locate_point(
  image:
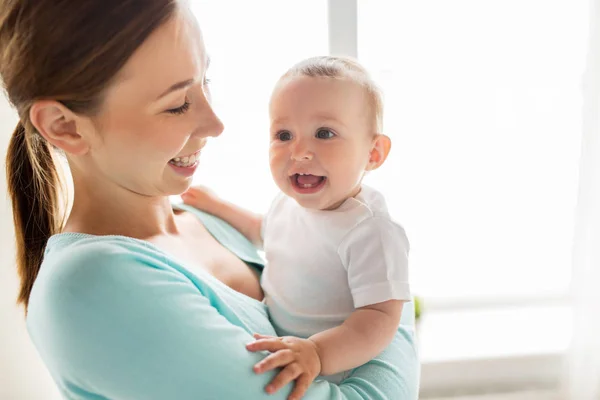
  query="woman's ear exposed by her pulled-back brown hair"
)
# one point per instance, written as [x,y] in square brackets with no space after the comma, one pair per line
[58,125]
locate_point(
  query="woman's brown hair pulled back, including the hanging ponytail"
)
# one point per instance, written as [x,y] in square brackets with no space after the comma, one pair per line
[68,51]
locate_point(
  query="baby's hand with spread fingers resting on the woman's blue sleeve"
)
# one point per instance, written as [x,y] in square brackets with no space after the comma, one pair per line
[299,359]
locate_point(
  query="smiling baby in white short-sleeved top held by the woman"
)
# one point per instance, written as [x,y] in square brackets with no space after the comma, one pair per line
[336,275]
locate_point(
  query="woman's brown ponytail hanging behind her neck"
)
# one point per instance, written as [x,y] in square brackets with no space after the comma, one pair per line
[33,183]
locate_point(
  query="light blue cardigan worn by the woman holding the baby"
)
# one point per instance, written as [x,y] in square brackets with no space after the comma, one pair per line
[117,318]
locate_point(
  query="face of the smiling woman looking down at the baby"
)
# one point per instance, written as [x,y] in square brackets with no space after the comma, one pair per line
[156,115]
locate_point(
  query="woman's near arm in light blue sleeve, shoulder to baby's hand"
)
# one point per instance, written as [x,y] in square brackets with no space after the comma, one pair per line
[115,325]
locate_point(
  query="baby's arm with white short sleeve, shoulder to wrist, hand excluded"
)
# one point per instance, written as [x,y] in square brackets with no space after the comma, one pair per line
[375,254]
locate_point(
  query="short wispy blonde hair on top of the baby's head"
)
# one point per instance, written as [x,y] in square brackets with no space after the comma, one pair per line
[342,67]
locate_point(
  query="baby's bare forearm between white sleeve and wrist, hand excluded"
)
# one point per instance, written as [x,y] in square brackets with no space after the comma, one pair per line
[365,334]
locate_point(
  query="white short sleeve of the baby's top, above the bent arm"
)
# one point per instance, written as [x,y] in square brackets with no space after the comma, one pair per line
[375,254]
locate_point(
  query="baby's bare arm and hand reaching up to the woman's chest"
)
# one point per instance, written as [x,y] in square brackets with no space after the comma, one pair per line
[246,222]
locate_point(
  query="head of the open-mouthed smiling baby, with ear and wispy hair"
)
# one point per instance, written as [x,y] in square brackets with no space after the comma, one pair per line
[326,131]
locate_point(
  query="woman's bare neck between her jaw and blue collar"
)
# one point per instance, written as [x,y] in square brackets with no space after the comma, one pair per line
[114,210]
